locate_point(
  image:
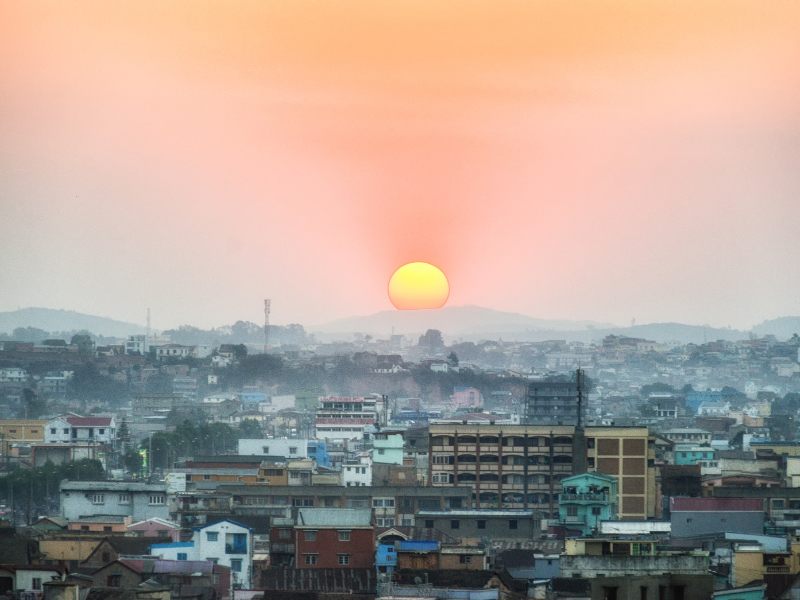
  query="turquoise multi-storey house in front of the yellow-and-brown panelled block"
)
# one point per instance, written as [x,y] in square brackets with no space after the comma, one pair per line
[586,500]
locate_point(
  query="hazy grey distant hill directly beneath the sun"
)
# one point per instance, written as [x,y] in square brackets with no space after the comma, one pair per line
[472,322]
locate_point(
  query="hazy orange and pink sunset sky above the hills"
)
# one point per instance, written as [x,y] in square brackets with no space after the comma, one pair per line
[563,159]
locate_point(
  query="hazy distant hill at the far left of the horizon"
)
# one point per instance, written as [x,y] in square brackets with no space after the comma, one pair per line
[53,320]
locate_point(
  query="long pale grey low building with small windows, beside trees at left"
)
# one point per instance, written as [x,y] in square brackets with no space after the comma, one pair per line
[139,501]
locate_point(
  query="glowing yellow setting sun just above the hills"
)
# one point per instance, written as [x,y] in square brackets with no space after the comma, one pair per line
[418,285]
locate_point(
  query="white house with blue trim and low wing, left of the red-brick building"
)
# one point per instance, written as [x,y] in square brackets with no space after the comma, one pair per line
[226,543]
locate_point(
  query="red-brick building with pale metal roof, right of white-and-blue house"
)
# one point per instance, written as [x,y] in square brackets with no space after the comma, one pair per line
[334,538]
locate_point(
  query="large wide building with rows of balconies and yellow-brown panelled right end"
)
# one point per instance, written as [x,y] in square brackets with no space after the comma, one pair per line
[522,466]
